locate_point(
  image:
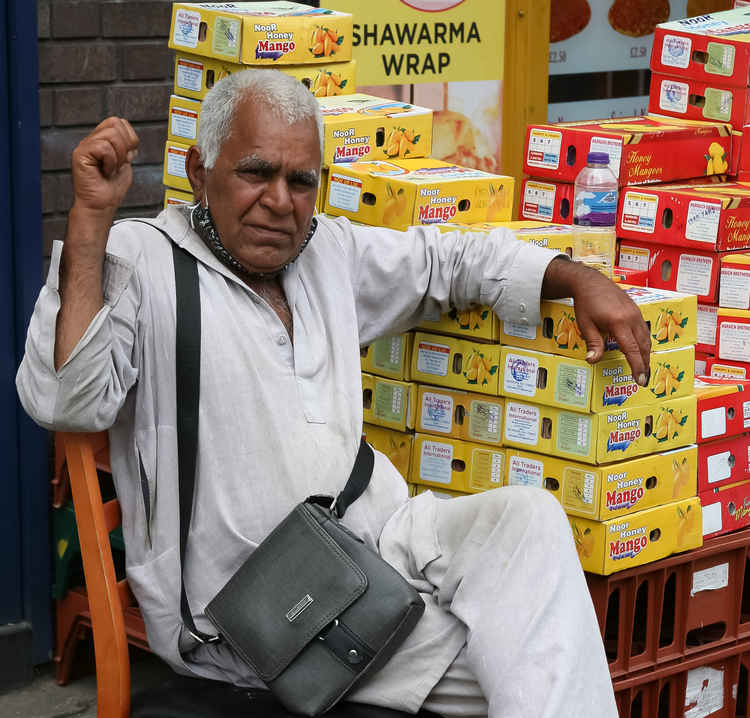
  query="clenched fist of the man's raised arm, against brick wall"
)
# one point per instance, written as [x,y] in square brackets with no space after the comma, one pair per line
[101,168]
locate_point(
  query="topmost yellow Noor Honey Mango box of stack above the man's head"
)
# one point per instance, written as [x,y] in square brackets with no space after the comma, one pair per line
[261,33]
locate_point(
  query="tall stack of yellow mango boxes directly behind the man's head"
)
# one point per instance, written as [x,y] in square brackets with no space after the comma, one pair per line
[213,41]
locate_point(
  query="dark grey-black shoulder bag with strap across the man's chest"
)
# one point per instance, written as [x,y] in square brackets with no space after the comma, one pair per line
[313,610]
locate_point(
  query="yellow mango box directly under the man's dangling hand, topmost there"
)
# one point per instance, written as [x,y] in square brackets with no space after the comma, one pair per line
[671,317]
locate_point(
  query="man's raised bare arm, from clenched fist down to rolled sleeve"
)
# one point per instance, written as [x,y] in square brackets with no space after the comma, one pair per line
[101,177]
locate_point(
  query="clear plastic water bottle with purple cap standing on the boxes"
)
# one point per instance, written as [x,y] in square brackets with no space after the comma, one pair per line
[595,214]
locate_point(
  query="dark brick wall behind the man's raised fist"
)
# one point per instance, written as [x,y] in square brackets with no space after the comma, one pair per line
[98,58]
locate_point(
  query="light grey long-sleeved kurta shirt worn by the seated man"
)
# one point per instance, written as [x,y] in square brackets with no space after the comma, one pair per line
[278,421]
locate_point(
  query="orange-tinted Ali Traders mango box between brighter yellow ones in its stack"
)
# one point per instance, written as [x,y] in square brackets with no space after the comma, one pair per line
[459,414]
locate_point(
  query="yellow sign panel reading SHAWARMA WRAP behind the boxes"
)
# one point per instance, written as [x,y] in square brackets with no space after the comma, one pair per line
[415,41]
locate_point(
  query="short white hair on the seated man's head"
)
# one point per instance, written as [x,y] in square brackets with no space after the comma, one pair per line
[283,95]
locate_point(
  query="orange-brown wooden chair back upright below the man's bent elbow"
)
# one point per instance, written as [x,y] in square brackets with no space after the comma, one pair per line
[106,594]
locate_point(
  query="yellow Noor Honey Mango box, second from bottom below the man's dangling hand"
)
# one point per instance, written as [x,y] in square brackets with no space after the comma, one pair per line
[605,492]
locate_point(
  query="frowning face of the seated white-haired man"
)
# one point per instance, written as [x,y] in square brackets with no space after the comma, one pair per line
[262,189]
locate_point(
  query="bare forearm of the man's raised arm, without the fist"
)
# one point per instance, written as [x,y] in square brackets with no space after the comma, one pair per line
[81,295]
